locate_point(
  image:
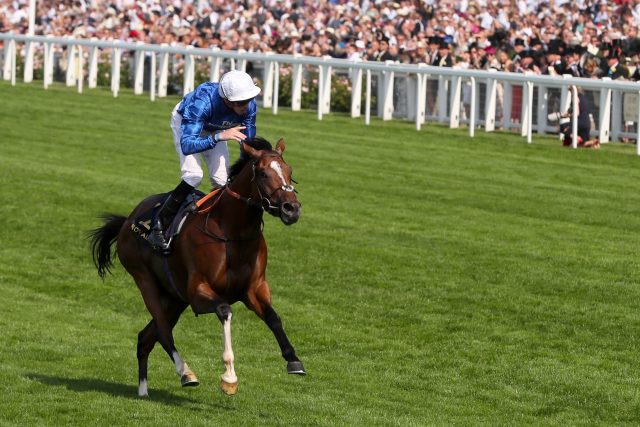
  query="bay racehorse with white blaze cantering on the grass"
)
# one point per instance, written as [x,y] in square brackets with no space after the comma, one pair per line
[219,258]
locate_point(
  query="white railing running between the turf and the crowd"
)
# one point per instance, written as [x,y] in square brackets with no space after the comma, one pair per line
[413,92]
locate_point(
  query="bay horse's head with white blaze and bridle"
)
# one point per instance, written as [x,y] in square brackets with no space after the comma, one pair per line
[272,177]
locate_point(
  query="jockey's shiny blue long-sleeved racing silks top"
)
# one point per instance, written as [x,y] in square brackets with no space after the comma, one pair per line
[203,112]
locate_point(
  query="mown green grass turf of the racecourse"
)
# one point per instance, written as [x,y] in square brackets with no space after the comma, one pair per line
[432,278]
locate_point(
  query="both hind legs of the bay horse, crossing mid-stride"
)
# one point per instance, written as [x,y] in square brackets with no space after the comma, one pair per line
[165,312]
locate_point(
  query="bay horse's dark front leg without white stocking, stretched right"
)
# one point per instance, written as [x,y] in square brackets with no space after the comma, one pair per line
[260,303]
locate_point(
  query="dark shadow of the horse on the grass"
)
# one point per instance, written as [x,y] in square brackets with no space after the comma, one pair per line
[110,388]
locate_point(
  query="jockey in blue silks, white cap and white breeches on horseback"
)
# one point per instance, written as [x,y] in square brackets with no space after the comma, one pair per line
[202,123]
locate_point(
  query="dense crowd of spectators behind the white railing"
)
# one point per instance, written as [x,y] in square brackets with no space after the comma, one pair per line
[580,37]
